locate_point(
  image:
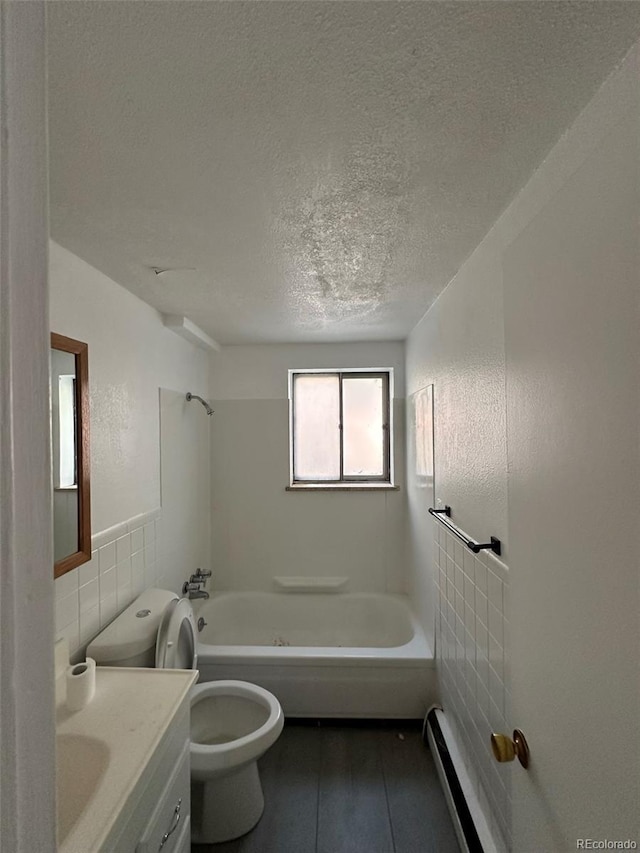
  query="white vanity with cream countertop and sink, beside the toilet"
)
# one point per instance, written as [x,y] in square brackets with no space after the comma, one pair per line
[123,764]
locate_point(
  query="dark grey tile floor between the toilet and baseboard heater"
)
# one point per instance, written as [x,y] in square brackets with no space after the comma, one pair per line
[334,788]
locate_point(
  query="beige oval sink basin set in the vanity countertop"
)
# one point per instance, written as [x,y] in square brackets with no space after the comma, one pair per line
[80,764]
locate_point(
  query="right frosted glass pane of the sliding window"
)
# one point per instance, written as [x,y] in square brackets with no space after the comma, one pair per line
[363,421]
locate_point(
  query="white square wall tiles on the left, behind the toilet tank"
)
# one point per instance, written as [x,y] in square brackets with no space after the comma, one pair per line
[122,565]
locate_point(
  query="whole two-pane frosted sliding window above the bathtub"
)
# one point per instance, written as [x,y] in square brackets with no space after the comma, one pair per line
[340,427]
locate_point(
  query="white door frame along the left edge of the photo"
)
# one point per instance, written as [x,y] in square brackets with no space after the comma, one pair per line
[27,720]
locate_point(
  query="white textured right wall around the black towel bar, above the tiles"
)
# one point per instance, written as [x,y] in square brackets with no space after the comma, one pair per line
[459,348]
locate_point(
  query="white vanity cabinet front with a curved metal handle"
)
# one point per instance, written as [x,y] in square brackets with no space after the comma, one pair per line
[165,830]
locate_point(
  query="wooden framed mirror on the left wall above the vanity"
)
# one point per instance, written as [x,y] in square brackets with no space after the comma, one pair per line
[69,380]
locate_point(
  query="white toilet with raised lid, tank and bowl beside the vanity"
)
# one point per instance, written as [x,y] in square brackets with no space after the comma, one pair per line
[233,723]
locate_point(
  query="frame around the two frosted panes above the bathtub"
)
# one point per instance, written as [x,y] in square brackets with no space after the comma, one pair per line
[385,480]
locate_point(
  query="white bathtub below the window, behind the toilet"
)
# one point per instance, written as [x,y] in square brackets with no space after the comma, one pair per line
[322,655]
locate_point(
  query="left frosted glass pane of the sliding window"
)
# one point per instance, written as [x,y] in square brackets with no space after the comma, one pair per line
[316,423]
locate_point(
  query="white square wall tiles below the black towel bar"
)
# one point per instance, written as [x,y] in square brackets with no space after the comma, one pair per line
[471,654]
